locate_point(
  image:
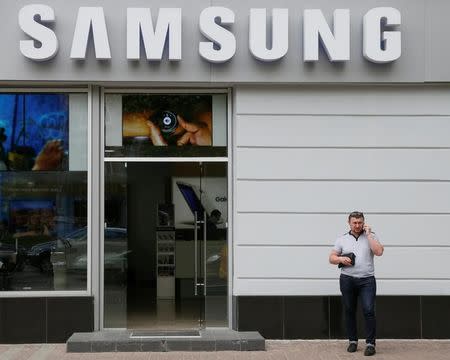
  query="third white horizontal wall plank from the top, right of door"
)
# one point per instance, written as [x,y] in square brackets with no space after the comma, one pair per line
[343,164]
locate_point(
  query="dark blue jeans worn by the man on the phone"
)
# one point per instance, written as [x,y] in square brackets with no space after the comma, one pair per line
[365,289]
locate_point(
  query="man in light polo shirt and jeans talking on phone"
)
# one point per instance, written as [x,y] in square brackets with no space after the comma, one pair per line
[357,278]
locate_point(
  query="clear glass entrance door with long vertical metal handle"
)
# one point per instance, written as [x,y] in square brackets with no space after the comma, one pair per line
[165,245]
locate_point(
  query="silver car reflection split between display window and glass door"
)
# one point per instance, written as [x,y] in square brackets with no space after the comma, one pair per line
[71,250]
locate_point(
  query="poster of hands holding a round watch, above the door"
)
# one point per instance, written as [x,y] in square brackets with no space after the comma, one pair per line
[167,120]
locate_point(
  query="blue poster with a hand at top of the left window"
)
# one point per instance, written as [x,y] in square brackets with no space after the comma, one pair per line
[34,132]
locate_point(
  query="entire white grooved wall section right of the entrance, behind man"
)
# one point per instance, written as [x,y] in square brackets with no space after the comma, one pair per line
[304,157]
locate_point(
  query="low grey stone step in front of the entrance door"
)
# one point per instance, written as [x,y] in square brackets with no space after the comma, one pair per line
[164,341]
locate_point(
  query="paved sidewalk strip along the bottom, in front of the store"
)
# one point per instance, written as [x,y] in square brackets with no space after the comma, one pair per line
[276,350]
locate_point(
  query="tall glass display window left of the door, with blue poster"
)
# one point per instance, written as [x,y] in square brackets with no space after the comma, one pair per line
[43,191]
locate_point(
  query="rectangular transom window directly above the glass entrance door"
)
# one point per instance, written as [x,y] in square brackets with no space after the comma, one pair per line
[165,125]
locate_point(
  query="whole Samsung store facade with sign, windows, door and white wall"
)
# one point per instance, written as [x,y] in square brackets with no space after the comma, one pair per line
[167,166]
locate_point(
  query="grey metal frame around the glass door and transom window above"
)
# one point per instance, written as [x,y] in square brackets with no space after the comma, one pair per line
[98,135]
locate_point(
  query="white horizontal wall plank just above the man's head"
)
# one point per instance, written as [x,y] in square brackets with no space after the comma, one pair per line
[342,196]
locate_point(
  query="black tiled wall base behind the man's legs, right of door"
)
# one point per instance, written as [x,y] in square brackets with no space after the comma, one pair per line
[322,317]
